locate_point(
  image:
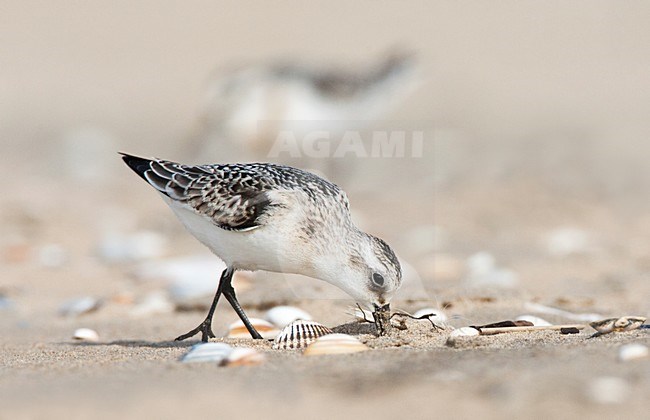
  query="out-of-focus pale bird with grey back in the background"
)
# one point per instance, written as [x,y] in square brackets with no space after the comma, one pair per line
[251,104]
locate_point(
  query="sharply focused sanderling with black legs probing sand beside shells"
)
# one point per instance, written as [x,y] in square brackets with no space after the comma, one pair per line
[261,216]
